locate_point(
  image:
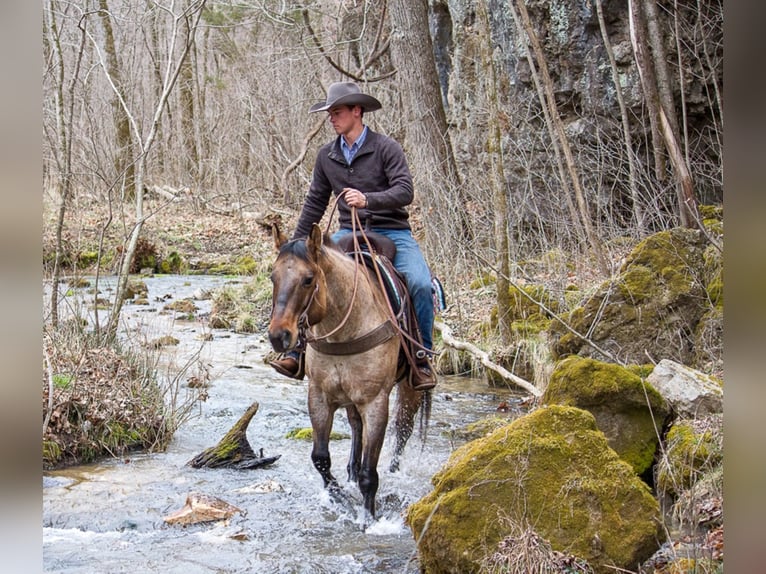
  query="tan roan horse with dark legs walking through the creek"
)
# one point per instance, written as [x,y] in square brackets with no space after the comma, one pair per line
[324,297]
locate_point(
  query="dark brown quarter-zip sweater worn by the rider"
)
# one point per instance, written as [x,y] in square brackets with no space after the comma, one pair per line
[379,170]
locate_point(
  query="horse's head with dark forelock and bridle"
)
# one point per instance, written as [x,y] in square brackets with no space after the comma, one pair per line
[299,293]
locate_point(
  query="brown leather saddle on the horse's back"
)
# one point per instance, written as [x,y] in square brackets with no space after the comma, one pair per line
[383,252]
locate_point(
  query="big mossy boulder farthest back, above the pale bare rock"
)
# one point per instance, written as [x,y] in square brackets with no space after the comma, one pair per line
[653,307]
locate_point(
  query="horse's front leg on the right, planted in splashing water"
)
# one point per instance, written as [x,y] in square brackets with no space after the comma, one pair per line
[374,422]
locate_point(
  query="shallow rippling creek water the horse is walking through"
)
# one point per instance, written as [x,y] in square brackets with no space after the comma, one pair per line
[108,517]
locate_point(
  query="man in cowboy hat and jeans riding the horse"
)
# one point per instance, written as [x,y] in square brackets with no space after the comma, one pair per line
[370,172]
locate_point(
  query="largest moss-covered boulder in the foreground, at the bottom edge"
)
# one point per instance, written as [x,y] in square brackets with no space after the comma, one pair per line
[552,470]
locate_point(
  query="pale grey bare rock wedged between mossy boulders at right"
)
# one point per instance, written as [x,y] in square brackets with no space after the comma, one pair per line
[689,392]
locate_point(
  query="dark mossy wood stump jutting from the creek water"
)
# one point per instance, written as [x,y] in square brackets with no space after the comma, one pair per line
[234,450]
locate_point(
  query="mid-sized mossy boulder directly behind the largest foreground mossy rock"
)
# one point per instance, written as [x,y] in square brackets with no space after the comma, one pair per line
[629,411]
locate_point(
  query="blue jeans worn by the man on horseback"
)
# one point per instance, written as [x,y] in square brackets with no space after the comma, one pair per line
[409,261]
